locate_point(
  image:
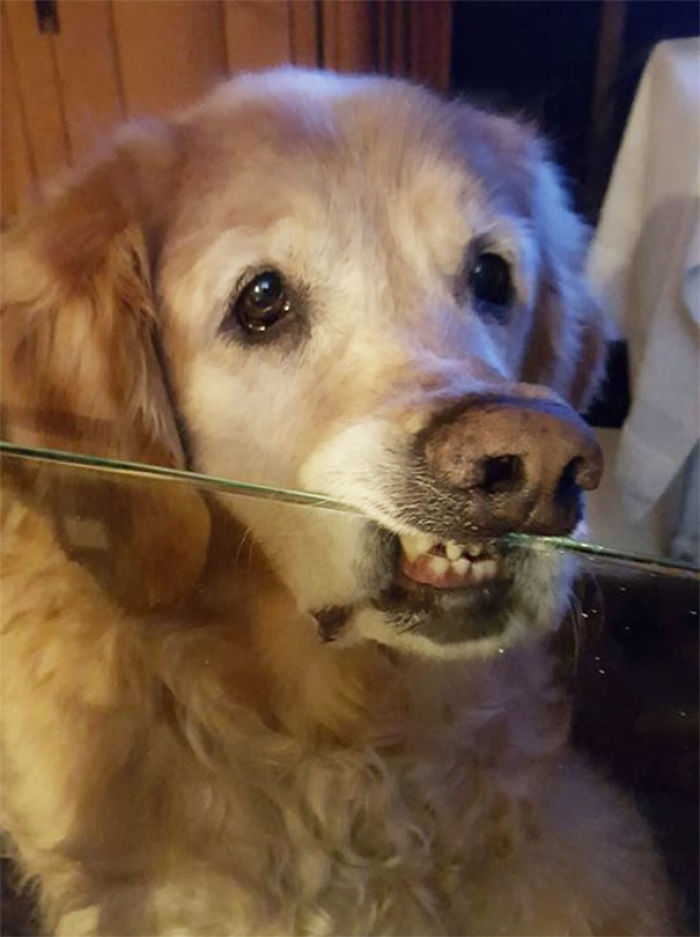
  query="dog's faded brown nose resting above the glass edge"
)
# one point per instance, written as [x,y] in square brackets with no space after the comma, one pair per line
[513,463]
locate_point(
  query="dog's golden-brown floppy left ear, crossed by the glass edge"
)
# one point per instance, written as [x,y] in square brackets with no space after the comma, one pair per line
[82,371]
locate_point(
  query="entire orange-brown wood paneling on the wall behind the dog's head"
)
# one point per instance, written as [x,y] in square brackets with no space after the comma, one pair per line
[112,59]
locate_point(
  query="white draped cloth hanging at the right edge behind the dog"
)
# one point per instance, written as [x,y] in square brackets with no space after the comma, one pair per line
[645,268]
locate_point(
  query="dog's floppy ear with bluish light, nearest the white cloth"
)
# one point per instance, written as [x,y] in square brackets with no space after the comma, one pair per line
[568,338]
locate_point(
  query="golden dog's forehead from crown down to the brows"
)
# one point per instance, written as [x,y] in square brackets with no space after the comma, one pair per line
[367,186]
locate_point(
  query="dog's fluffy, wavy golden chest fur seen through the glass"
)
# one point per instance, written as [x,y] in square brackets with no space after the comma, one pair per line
[373,819]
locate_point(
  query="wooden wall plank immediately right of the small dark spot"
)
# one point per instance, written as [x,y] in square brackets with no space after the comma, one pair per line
[87,70]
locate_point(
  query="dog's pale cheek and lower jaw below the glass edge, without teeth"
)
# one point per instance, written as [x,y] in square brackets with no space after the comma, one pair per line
[345,572]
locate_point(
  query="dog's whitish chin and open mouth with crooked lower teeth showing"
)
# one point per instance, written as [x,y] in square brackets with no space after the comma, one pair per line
[445,600]
